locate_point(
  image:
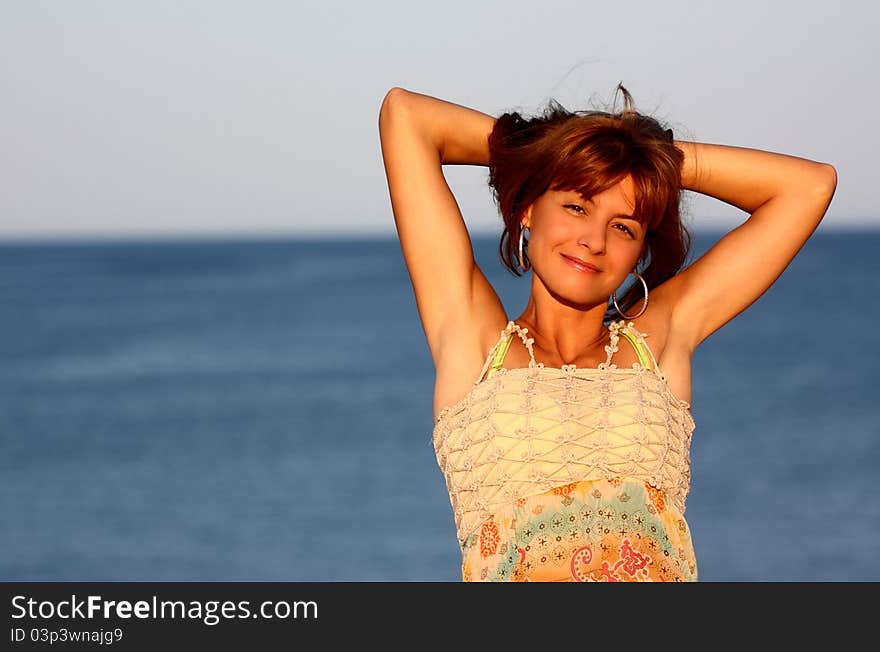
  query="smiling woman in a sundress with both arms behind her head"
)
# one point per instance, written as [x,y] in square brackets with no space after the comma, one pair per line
[565,440]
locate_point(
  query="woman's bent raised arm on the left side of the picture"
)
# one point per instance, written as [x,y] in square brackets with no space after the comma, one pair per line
[419,134]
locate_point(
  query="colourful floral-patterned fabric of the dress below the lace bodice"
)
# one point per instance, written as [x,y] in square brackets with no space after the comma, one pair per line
[614,530]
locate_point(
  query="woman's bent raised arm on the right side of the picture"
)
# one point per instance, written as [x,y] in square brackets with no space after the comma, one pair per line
[787,197]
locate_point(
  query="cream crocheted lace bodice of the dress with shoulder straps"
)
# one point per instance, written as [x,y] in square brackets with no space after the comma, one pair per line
[524,431]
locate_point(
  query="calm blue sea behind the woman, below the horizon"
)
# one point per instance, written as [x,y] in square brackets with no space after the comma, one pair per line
[262,411]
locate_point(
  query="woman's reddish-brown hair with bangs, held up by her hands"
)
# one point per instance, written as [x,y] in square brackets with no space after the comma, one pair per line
[590,152]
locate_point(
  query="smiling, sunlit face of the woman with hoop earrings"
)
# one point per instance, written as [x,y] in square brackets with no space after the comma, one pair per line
[582,250]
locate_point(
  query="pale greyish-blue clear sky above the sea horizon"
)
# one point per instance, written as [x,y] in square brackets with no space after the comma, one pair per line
[210,118]
